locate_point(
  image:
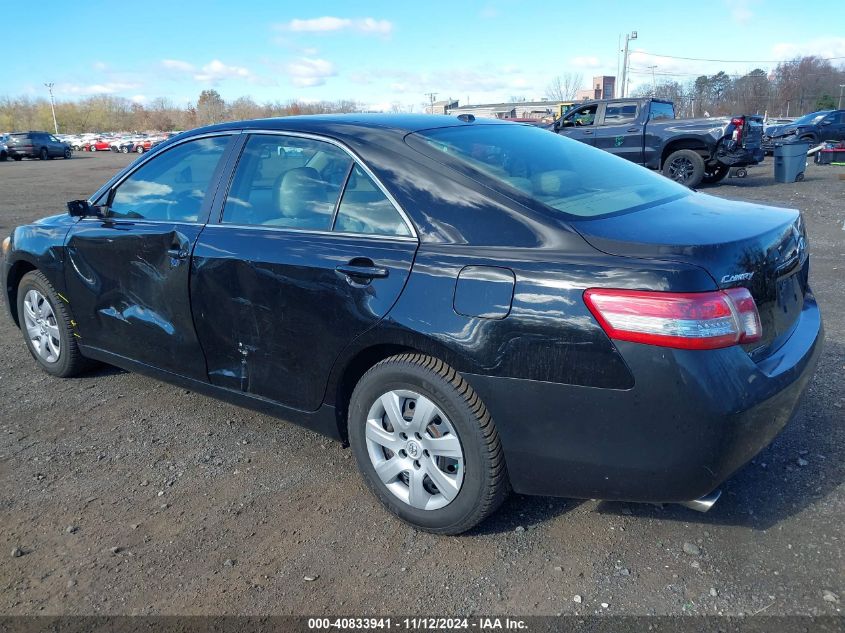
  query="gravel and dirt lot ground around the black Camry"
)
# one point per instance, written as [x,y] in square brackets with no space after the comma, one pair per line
[129,496]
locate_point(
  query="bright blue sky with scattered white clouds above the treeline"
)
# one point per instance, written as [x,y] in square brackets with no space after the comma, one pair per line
[381,53]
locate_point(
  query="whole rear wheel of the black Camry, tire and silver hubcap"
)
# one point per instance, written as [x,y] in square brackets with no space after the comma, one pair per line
[426,444]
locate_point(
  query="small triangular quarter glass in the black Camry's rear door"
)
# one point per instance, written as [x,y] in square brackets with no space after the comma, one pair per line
[365,209]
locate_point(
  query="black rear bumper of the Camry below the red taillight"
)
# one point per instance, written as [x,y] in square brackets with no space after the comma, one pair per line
[691,420]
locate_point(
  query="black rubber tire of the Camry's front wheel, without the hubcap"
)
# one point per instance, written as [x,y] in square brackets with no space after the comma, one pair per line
[70,361]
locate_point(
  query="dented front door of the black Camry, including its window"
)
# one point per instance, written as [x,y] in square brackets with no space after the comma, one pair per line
[127,273]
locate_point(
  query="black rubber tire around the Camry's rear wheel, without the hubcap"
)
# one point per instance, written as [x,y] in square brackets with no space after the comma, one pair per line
[485,483]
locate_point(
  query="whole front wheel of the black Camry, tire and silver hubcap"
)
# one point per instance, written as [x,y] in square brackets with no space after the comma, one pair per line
[46,324]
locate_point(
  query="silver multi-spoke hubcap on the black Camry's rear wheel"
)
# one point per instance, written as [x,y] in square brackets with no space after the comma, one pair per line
[414,449]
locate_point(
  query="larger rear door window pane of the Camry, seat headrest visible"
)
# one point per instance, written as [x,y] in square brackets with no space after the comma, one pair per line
[287,181]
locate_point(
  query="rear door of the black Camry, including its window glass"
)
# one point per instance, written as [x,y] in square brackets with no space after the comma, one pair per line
[309,253]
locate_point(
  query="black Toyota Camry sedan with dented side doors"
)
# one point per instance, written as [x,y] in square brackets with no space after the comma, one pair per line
[474,306]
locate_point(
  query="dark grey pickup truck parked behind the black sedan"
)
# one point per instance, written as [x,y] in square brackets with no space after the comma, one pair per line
[645,131]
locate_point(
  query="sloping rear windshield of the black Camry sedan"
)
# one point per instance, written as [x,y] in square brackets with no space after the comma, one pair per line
[558,172]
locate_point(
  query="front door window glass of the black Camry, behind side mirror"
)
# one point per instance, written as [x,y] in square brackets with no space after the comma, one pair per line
[171,186]
